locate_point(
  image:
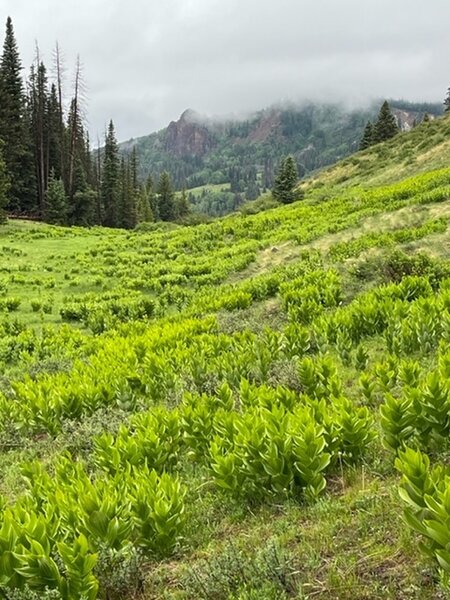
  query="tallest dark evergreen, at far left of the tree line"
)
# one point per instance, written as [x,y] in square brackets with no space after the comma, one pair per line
[14,127]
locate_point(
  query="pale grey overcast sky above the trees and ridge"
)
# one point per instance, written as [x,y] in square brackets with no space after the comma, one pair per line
[145,61]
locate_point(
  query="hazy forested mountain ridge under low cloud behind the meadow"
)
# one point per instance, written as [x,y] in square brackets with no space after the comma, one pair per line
[226,162]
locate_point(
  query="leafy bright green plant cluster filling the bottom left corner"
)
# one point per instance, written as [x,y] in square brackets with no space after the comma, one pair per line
[52,536]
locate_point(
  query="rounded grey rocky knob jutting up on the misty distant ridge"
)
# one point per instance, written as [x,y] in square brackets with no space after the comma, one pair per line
[188,136]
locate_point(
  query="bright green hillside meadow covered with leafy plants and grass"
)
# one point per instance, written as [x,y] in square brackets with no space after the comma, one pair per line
[223,411]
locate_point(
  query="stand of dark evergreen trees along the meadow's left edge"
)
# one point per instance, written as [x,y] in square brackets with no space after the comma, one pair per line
[47,167]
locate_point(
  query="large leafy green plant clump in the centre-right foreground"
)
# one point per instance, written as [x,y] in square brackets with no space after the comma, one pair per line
[273,451]
